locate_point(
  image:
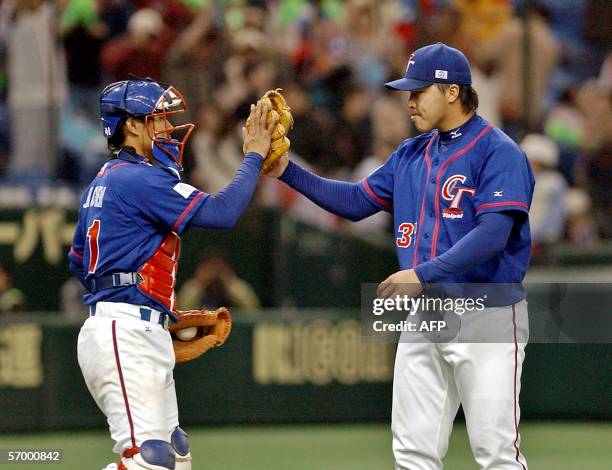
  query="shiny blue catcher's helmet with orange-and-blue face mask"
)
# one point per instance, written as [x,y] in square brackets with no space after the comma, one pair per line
[148,99]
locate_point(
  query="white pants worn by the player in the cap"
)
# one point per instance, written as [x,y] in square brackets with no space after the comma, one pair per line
[432,380]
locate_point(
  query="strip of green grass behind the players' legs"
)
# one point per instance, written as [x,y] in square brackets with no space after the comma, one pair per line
[554,446]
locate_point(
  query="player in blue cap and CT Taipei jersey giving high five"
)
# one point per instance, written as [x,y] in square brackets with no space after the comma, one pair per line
[459,194]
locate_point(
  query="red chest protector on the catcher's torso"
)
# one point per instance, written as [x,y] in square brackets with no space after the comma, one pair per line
[159,271]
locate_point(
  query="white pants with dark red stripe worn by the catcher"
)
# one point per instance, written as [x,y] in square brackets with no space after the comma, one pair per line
[127,364]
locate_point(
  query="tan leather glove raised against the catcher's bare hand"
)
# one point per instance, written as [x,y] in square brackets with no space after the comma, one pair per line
[279,110]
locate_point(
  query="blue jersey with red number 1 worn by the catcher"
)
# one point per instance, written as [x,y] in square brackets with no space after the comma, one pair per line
[125,213]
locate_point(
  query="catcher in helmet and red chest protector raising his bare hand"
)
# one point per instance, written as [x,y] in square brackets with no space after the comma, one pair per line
[125,251]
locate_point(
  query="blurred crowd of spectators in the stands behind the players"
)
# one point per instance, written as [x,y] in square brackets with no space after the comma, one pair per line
[542,69]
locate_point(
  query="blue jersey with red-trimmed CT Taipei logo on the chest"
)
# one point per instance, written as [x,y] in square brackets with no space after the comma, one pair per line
[437,184]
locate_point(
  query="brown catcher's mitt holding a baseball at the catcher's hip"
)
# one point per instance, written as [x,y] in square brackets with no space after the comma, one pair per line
[211,329]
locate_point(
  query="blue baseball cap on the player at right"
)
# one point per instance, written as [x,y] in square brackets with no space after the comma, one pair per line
[436,63]
